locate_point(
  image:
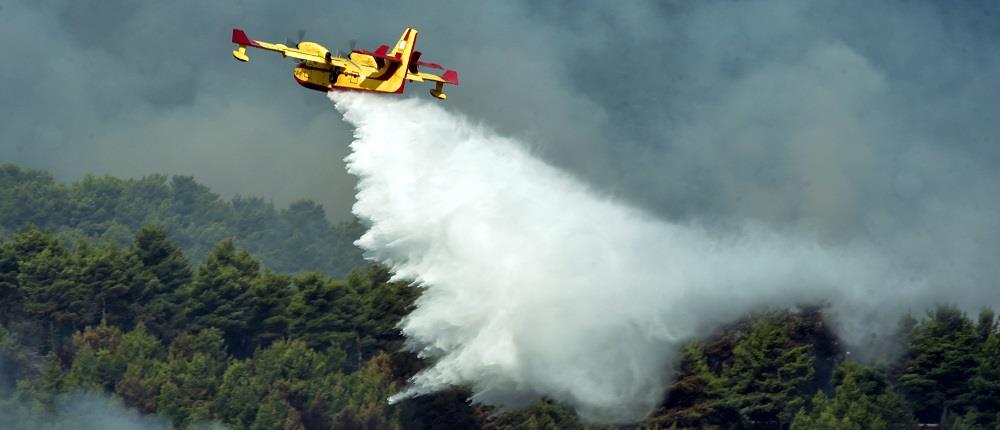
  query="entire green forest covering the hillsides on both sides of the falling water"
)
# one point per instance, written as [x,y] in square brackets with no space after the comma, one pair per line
[233,341]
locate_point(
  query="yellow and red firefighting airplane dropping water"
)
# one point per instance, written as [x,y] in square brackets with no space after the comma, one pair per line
[381,71]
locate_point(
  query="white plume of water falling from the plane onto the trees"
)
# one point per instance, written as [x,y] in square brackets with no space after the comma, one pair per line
[538,286]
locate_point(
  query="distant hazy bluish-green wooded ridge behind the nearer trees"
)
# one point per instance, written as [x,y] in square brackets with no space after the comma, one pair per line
[295,239]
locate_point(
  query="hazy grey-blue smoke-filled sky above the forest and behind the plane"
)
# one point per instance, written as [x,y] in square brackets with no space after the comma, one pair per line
[872,121]
